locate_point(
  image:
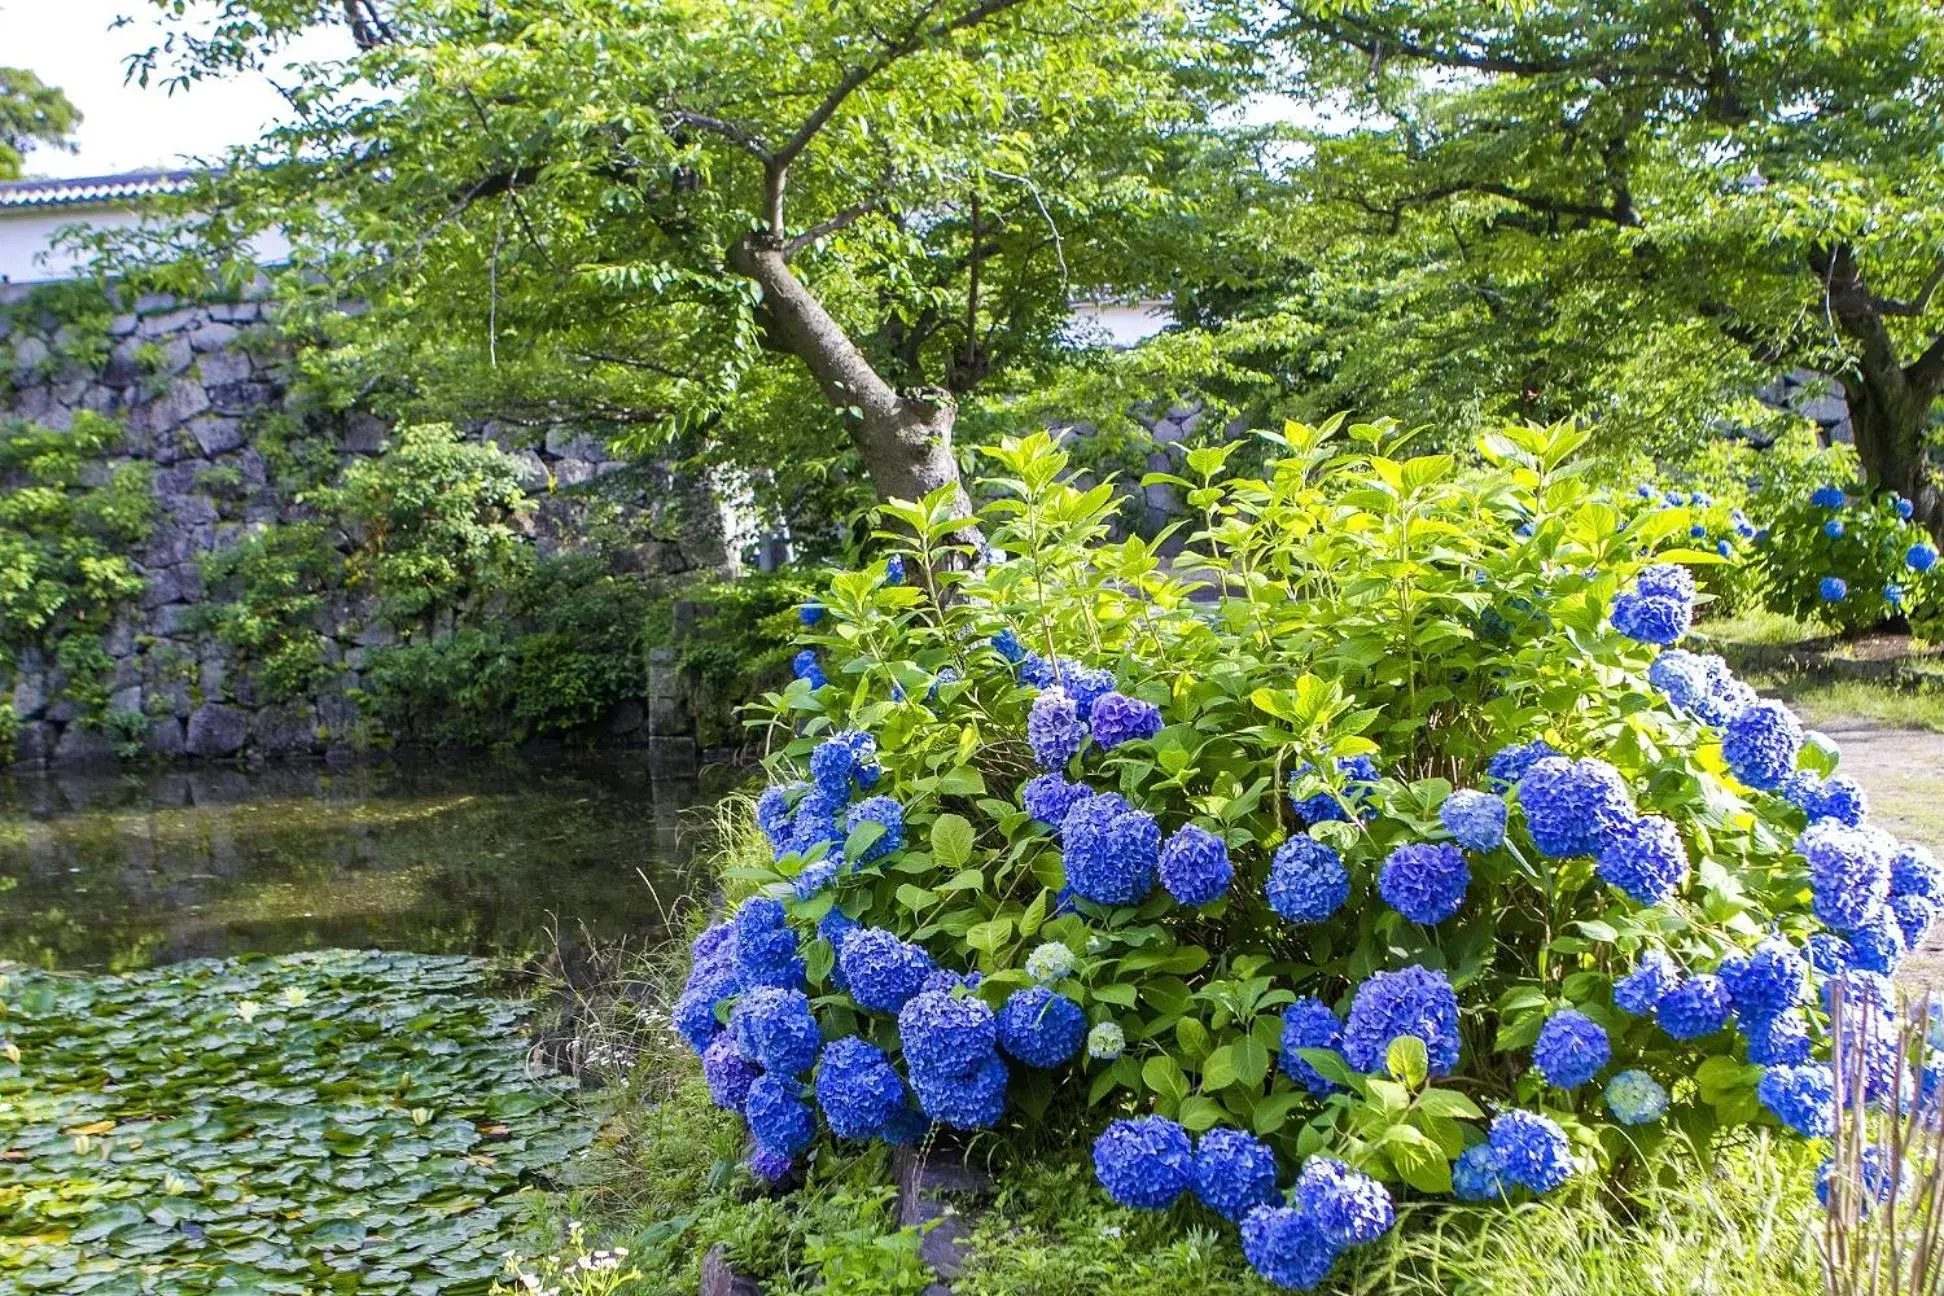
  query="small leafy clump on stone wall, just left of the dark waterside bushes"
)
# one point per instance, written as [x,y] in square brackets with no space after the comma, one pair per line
[267,594]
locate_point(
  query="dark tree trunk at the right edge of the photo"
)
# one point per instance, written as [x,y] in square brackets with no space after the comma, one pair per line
[1889,401]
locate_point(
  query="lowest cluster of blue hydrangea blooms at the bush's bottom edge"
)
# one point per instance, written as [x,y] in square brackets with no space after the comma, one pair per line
[1292,1239]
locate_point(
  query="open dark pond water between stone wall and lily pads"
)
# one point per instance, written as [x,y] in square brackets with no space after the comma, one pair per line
[133,870]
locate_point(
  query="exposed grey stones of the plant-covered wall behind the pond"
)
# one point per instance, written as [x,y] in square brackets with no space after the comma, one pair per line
[191,388]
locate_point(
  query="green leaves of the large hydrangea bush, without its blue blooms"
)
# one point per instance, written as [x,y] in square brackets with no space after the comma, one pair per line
[1350,603]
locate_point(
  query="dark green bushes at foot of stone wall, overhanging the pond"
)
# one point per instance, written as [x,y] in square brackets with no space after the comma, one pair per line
[565,650]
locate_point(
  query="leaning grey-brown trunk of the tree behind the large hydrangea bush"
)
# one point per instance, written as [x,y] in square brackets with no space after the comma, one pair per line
[907,440]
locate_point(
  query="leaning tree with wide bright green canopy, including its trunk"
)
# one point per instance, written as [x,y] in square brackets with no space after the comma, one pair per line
[744,228]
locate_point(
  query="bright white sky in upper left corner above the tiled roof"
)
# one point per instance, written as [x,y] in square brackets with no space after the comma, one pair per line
[69,44]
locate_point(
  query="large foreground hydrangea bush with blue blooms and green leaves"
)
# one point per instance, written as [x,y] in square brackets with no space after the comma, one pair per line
[1381,842]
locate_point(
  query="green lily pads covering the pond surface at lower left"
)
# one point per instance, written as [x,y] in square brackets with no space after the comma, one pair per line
[343,1120]
